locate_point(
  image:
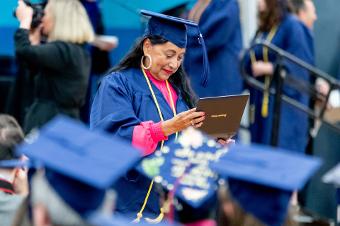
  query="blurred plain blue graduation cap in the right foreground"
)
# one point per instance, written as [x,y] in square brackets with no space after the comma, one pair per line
[261,178]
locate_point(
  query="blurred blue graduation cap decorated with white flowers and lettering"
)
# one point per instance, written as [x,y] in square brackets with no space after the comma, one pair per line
[182,167]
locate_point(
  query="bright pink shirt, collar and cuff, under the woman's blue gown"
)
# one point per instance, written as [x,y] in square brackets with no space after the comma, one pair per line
[147,134]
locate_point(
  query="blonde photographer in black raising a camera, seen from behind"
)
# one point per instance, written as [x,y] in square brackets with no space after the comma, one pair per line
[63,62]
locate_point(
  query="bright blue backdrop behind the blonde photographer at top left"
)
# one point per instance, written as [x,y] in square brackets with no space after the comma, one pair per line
[121,18]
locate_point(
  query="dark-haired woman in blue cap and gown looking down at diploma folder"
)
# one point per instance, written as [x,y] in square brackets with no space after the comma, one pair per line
[147,100]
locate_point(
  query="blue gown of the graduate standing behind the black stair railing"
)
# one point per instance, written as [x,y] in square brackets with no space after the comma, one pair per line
[293,131]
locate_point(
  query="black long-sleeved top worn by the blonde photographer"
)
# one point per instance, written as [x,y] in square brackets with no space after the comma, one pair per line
[62,80]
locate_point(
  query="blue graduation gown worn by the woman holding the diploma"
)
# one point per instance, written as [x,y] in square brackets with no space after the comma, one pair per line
[122,102]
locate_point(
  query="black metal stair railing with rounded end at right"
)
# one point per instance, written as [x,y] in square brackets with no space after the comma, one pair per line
[279,78]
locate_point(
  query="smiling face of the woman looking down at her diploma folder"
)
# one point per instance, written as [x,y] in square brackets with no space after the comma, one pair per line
[166,59]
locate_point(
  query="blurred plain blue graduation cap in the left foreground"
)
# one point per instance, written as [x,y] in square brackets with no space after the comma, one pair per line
[79,164]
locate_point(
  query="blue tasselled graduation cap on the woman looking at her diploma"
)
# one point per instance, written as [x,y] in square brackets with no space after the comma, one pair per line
[174,29]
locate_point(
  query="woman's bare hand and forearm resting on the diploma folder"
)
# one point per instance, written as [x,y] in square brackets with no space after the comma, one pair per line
[182,121]
